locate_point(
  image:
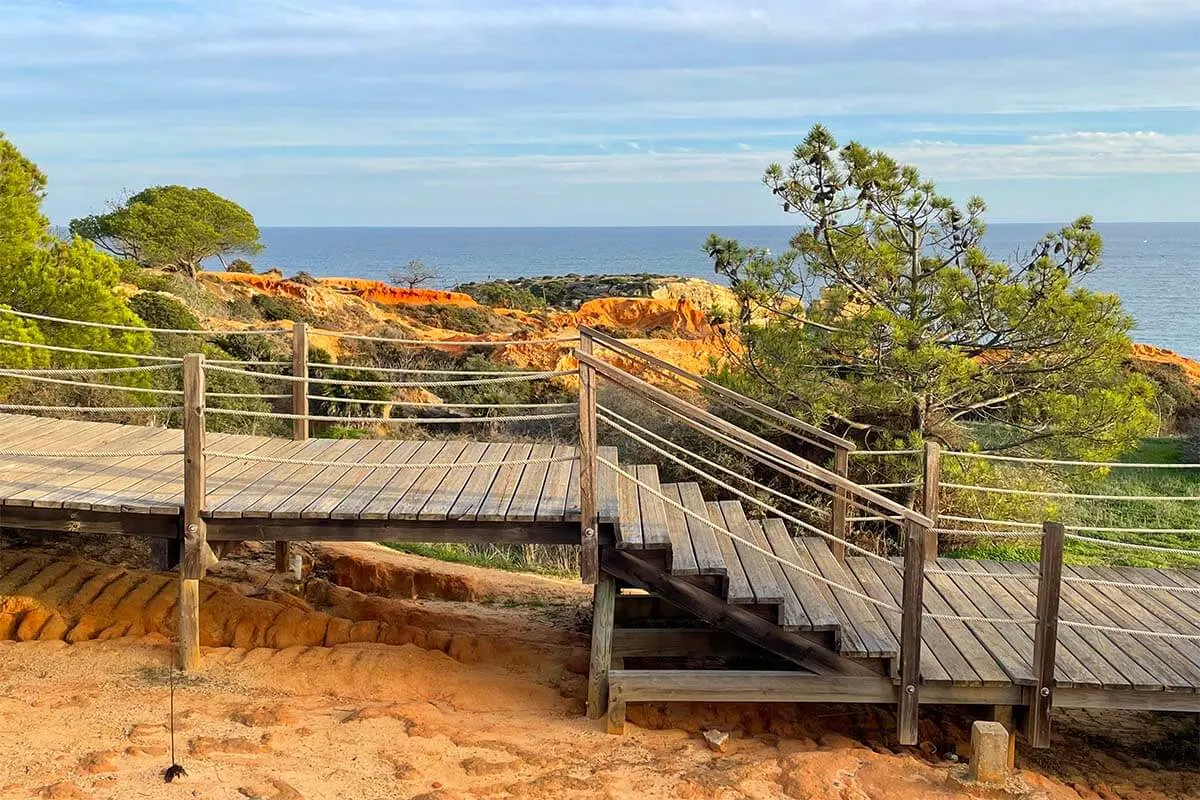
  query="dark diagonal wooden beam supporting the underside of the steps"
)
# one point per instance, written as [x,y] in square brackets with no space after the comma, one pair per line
[728,617]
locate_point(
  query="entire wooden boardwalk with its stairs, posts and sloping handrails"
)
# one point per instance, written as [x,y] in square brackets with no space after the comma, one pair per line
[685,574]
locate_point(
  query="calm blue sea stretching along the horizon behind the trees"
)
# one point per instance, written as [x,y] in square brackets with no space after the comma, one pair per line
[1155,268]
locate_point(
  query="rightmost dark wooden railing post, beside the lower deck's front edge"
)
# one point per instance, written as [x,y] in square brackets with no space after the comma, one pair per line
[1046,639]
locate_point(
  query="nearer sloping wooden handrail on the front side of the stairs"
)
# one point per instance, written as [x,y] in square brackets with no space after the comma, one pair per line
[689,412]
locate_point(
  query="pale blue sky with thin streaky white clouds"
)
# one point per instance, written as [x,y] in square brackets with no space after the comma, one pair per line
[601,112]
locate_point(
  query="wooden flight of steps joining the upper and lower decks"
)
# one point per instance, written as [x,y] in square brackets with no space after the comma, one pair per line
[674,550]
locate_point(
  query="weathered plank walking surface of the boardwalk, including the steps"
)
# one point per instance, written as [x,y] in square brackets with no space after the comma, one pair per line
[533,498]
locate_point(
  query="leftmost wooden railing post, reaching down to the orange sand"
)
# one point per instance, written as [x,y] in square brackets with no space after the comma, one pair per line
[191,568]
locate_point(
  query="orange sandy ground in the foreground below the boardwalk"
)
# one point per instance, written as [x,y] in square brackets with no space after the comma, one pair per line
[483,701]
